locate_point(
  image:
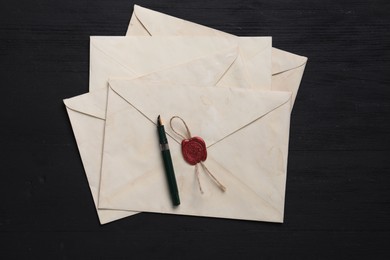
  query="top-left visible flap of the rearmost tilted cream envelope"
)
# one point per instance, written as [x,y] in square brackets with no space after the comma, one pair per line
[157,23]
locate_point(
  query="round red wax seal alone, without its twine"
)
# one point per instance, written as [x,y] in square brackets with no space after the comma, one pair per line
[194,150]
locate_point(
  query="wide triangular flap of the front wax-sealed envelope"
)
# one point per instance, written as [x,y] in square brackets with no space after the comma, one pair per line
[210,112]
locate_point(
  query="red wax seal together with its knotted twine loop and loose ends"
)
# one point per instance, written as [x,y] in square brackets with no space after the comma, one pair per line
[194,152]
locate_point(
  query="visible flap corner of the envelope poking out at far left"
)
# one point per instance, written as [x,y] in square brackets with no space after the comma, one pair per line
[92,103]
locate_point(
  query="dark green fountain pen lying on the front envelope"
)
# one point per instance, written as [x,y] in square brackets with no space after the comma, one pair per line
[168,165]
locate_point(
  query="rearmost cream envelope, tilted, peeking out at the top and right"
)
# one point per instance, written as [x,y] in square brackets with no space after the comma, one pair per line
[287,68]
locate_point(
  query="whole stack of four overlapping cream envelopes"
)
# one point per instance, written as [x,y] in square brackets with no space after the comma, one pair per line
[237,93]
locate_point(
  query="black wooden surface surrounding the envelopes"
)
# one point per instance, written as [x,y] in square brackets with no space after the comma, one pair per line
[337,199]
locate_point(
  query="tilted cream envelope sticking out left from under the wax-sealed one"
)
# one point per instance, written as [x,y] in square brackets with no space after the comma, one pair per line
[87,112]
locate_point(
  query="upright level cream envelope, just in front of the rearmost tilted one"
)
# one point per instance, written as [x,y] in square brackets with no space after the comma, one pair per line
[132,57]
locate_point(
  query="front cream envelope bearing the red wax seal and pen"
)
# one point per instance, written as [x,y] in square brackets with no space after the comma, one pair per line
[246,132]
